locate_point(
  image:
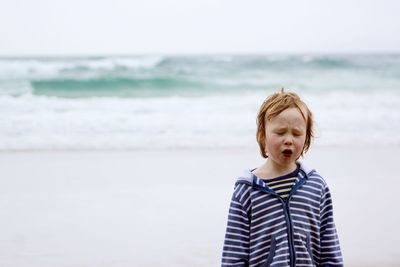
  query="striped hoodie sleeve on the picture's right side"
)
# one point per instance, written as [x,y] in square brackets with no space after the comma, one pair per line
[330,253]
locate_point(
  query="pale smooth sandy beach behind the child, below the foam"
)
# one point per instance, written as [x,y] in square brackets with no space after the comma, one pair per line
[168,207]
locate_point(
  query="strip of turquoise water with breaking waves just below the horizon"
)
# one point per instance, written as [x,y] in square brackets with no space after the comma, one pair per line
[149,76]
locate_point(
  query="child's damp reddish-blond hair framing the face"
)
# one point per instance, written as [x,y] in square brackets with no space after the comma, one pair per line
[275,104]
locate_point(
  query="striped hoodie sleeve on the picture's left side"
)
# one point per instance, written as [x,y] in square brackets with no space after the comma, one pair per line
[236,244]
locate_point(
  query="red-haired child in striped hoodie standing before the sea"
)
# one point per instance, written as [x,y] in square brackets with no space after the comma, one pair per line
[281,212]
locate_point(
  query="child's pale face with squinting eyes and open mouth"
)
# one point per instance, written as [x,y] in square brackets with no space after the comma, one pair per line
[285,137]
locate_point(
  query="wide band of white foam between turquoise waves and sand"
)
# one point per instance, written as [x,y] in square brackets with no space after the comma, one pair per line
[39,122]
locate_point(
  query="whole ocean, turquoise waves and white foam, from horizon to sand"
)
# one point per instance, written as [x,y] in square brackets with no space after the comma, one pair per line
[208,101]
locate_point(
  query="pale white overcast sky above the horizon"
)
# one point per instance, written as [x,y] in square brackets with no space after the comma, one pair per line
[74,27]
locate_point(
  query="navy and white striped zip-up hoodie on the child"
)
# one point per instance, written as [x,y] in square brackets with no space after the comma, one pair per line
[266,230]
